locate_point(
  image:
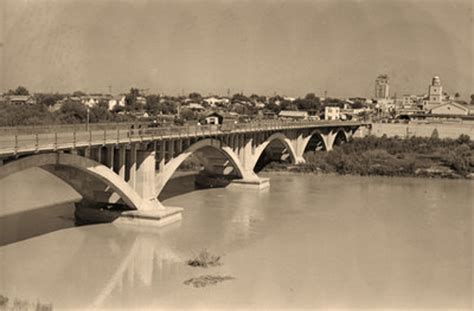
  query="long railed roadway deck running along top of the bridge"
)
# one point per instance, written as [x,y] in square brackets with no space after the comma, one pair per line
[15,144]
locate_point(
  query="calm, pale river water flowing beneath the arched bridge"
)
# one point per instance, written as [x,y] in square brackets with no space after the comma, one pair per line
[307,242]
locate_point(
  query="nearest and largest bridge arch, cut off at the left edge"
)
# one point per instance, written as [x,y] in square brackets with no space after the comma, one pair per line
[88,166]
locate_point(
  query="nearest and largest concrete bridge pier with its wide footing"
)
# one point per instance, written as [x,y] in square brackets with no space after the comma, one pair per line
[138,165]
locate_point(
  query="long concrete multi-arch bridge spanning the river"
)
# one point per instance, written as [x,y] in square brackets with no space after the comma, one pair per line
[130,168]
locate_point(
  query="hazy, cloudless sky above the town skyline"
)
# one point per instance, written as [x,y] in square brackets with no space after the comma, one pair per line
[288,47]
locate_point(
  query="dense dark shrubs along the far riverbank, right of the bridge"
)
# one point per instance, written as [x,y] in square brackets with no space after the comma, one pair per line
[430,157]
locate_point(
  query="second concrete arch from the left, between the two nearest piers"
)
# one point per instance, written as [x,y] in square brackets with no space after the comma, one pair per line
[172,165]
